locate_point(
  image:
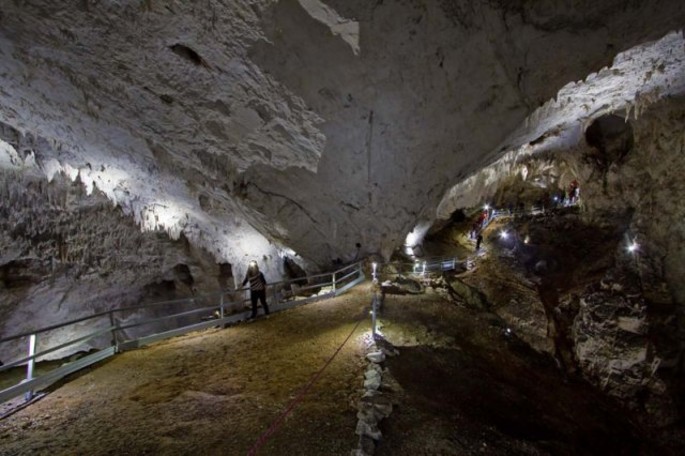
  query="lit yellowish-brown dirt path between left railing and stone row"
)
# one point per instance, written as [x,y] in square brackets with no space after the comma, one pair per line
[212,392]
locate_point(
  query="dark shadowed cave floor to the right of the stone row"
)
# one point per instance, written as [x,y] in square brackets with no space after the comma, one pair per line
[465,386]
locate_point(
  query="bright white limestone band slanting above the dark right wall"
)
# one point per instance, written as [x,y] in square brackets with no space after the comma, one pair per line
[636,79]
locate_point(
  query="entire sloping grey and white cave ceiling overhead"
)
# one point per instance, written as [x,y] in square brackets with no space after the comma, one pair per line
[253,125]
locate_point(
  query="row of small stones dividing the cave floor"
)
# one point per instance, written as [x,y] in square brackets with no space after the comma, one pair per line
[375,404]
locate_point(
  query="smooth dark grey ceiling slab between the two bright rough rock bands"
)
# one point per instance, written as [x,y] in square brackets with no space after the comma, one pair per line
[435,87]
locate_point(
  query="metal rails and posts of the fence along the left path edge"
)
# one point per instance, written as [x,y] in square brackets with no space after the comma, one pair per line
[27,385]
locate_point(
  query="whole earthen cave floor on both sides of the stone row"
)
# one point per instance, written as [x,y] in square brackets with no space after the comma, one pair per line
[461,386]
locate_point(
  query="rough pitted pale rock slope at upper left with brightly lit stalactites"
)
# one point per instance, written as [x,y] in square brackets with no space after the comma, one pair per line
[158,107]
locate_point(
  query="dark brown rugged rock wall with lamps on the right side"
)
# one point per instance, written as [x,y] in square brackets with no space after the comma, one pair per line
[615,316]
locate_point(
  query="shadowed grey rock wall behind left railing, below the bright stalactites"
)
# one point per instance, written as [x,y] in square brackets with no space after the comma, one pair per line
[66,254]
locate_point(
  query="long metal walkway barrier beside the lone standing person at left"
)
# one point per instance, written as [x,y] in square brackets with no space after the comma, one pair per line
[103,334]
